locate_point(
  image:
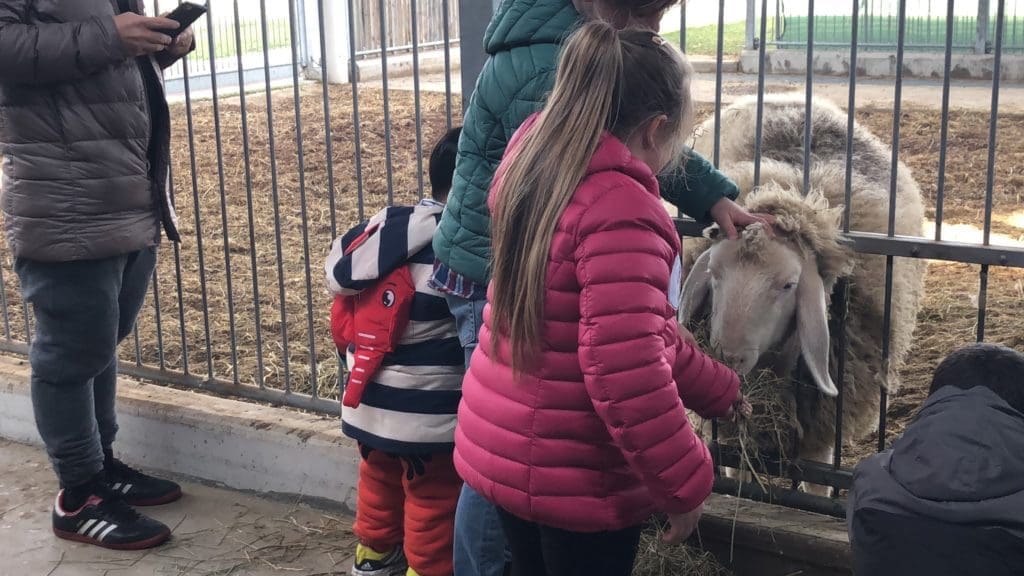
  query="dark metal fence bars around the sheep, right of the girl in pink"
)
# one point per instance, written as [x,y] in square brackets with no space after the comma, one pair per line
[985,255]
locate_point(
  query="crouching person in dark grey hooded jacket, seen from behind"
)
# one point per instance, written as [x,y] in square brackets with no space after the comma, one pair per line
[949,499]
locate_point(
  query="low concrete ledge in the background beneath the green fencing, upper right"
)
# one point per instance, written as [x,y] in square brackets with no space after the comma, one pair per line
[883,65]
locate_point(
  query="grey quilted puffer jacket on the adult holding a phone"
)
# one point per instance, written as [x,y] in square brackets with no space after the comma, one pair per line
[84,134]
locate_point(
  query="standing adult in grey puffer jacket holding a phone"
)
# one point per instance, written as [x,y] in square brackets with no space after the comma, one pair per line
[86,146]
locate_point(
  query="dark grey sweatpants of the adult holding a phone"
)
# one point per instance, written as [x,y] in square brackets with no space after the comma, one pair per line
[83,310]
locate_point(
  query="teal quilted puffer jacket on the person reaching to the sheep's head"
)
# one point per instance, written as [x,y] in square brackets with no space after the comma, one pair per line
[523,42]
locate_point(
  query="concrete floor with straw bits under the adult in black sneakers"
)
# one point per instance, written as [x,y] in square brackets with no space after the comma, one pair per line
[217,532]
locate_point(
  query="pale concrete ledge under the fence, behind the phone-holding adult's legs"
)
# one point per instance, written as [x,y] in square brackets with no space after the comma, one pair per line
[241,445]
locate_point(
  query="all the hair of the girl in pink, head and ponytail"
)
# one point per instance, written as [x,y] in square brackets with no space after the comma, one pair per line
[608,81]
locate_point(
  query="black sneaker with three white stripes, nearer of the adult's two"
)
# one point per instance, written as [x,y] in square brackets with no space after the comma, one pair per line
[106,520]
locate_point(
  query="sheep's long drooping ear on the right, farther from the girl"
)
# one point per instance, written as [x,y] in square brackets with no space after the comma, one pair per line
[813,326]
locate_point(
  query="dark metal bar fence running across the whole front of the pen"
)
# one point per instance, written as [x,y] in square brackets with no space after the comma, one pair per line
[268,176]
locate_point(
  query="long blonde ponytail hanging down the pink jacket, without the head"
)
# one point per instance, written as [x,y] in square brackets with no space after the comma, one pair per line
[554,155]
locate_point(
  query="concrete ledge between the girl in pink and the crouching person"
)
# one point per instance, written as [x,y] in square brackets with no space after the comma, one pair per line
[760,540]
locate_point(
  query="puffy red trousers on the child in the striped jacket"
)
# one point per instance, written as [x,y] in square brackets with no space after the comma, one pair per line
[409,502]
